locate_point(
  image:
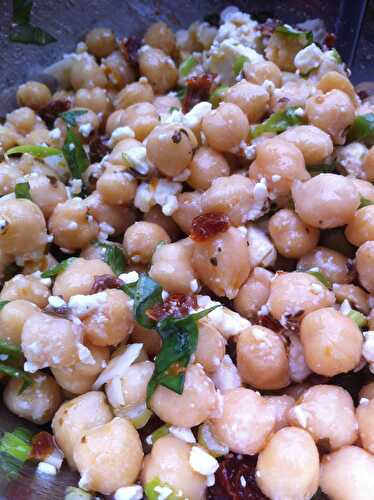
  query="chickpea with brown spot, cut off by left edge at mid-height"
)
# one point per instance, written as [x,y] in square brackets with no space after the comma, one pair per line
[22,227]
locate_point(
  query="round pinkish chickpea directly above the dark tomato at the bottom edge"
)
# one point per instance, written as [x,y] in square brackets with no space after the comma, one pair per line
[246,421]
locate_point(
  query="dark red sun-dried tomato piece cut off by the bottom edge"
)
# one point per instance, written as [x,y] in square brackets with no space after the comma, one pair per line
[236,480]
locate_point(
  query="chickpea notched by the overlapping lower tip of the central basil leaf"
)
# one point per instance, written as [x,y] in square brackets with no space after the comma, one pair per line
[190,408]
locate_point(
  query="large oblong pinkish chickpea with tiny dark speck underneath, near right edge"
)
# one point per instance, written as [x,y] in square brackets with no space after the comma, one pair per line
[326,201]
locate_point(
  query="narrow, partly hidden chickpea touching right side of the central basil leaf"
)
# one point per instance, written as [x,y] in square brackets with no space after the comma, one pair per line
[210,347]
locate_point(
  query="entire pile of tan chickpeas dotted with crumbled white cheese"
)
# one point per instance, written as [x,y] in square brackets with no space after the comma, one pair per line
[290,332]
